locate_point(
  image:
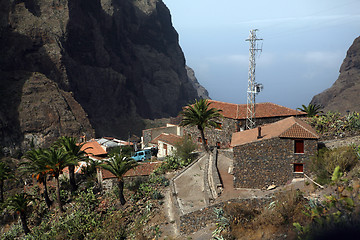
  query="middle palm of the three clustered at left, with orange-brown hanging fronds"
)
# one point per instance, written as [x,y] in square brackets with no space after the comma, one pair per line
[57,160]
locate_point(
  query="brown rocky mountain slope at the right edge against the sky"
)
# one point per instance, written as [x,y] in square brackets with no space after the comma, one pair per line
[344,95]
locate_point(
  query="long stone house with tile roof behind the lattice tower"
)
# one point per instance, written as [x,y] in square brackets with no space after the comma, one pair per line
[235,120]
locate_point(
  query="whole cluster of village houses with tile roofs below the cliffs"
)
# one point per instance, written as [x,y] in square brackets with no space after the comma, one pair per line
[275,152]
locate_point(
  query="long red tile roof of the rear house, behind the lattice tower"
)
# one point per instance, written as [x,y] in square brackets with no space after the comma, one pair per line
[263,110]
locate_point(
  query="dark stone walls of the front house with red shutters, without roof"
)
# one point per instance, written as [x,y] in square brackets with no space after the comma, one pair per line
[267,162]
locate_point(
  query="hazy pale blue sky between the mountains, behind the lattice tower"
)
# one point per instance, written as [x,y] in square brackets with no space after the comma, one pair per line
[305,42]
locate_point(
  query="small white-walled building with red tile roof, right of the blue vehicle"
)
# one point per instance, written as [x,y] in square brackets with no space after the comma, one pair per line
[166,144]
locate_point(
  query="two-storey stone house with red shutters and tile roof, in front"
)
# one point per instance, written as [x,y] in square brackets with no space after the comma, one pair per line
[274,153]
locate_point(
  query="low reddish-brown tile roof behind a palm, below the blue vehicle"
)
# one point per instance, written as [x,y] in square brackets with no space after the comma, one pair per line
[143,169]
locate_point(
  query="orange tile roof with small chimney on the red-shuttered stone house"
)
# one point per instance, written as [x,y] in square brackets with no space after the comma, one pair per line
[287,128]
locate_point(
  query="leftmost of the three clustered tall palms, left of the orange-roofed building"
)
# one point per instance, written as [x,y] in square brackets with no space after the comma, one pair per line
[36,165]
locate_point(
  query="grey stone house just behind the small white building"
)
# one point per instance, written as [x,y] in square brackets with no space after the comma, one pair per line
[152,133]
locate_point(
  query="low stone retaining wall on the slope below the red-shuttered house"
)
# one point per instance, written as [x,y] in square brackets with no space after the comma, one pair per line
[197,220]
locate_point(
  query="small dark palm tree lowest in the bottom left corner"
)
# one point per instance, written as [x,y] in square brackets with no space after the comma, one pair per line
[19,203]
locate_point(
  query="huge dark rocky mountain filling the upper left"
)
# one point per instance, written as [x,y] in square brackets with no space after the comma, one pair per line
[87,67]
